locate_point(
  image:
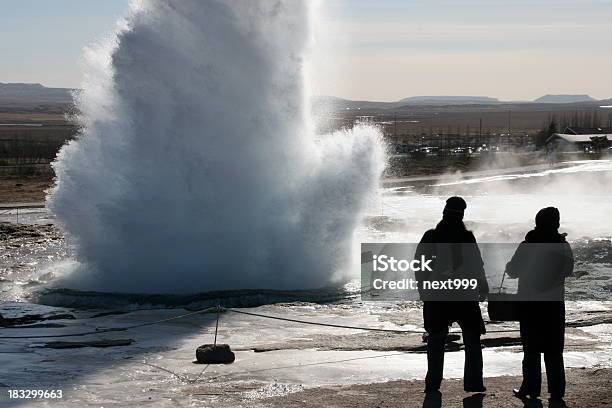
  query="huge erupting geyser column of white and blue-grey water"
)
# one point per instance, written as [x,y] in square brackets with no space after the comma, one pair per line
[197,167]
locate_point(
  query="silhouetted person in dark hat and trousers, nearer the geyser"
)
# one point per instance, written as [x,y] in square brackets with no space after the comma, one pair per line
[456,255]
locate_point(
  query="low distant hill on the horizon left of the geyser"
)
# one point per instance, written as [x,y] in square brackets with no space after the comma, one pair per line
[33,94]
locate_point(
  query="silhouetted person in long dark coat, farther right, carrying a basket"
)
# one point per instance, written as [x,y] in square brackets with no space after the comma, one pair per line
[541,263]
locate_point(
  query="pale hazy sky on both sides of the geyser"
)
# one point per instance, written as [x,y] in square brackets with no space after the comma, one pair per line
[370,49]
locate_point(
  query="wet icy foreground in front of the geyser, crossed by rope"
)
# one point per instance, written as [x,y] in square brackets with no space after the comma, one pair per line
[159,365]
